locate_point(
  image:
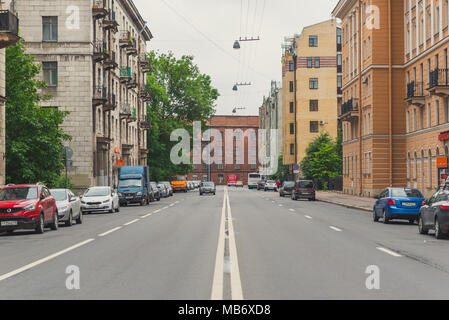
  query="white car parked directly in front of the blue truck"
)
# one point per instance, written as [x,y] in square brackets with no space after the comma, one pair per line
[98,199]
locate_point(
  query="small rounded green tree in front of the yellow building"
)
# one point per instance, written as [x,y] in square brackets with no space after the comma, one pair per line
[322,160]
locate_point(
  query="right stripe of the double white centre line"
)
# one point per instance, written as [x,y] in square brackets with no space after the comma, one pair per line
[236,283]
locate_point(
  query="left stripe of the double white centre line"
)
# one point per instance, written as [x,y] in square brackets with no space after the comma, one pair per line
[217,284]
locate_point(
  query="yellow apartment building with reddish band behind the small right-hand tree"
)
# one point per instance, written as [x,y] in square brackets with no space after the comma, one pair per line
[311,92]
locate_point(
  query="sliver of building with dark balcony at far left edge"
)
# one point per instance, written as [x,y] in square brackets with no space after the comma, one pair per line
[9,30]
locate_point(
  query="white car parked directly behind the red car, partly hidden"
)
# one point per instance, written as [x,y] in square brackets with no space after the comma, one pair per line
[69,206]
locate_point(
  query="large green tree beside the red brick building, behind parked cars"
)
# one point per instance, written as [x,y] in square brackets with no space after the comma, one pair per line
[180,95]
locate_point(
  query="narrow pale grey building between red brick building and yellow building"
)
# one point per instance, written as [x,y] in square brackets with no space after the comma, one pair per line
[270,119]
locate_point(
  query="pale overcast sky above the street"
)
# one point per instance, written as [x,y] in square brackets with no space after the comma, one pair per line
[207,29]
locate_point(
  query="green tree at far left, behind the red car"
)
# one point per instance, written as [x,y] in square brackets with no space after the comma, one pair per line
[34,141]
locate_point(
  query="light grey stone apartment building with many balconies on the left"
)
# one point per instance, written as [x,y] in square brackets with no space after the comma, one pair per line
[93,56]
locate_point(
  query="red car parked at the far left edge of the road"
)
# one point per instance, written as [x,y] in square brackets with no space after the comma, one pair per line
[27,207]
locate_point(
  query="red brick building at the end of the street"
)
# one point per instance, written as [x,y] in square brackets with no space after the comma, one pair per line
[220,172]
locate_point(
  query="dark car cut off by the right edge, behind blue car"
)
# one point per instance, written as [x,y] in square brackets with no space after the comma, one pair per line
[434,215]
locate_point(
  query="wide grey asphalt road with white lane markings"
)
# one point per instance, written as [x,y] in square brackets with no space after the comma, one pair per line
[237,244]
